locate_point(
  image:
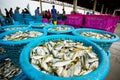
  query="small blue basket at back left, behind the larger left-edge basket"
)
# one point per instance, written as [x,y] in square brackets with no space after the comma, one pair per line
[20,27]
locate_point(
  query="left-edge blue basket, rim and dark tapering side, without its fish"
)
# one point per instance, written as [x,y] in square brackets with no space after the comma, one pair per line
[13,48]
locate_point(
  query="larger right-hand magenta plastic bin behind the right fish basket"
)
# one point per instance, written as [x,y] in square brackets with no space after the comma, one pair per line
[103,22]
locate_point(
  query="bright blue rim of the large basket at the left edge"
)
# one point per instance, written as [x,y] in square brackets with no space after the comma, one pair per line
[20,41]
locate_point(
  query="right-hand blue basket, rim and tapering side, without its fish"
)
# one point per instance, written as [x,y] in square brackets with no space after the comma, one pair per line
[104,43]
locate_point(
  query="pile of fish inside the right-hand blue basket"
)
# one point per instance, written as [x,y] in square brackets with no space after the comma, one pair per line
[96,35]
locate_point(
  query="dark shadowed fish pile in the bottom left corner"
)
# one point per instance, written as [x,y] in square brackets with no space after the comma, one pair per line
[8,70]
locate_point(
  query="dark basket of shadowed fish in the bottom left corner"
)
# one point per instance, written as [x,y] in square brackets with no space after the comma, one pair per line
[9,71]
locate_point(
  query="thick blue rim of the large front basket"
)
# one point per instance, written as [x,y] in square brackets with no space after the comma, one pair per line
[100,72]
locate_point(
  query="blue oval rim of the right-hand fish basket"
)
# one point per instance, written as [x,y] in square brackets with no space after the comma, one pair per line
[97,31]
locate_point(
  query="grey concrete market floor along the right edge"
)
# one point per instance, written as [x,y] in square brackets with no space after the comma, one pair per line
[114,73]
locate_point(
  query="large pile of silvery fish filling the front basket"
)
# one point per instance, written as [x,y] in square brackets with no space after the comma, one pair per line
[64,58]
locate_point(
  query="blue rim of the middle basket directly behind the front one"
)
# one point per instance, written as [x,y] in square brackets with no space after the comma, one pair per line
[64,31]
